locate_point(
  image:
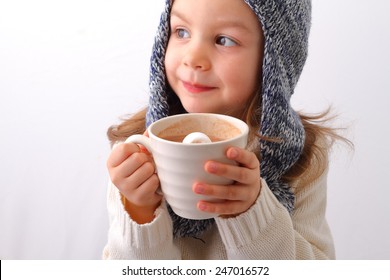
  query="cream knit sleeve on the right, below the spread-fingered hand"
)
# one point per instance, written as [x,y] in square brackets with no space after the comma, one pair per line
[268,231]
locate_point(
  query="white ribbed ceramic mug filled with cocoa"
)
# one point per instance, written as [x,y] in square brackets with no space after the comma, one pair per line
[179,165]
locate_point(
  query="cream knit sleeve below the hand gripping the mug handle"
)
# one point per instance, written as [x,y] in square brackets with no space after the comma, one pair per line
[129,240]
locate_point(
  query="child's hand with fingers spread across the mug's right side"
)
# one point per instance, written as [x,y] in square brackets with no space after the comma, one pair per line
[240,196]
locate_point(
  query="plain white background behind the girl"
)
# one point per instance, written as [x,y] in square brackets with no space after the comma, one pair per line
[69,69]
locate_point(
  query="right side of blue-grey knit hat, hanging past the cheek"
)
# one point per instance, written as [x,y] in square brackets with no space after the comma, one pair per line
[286,26]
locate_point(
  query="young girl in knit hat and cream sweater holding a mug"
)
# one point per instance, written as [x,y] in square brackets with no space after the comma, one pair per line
[241,58]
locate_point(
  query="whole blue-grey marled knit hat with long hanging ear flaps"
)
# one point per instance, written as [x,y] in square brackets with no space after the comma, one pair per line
[286,26]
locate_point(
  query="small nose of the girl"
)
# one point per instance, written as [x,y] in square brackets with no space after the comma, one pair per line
[197,57]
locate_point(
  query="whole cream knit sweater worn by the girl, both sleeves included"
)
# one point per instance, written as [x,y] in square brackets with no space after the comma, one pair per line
[265,231]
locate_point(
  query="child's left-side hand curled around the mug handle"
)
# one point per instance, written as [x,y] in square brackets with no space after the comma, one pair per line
[132,171]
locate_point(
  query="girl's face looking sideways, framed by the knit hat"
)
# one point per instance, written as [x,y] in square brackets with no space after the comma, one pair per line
[214,54]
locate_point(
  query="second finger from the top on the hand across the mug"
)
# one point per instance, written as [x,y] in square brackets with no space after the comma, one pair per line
[232,172]
